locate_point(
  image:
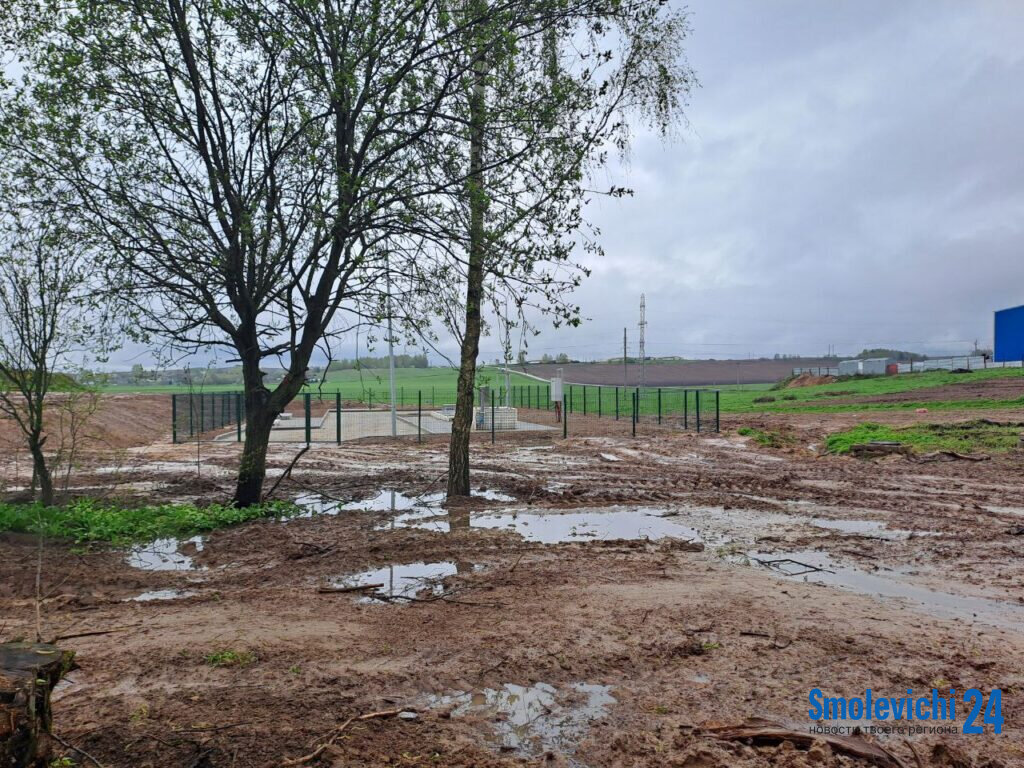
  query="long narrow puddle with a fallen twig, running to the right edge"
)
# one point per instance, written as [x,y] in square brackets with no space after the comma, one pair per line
[821,569]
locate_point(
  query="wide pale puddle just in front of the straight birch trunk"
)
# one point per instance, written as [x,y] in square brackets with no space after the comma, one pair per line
[556,528]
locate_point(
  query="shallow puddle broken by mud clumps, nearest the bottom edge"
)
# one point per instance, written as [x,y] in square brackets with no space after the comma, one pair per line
[534,720]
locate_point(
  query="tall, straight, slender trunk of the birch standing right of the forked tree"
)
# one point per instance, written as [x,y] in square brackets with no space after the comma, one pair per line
[462,424]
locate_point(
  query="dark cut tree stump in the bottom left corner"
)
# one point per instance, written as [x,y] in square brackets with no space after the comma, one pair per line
[28,674]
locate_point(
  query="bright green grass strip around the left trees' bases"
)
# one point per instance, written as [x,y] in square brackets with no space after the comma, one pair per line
[89,522]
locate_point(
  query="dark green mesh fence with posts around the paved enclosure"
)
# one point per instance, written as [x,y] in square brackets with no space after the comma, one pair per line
[332,417]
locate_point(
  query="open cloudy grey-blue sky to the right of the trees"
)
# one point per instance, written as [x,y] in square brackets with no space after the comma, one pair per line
[852,175]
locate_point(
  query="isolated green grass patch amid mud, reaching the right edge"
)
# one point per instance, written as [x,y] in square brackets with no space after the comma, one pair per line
[964,438]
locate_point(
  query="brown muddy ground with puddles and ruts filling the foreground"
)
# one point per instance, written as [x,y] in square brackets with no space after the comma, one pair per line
[605,602]
